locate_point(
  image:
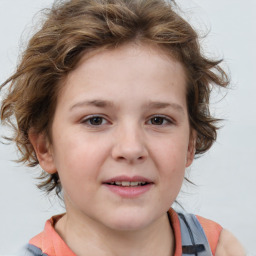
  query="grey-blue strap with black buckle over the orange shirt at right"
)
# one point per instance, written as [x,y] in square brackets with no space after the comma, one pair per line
[194,240]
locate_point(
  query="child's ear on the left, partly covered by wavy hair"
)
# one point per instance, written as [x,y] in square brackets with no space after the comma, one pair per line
[43,151]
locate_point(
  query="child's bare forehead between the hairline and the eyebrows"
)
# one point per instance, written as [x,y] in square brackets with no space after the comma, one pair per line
[131,68]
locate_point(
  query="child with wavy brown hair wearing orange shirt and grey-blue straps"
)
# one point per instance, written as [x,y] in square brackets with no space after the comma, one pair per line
[111,98]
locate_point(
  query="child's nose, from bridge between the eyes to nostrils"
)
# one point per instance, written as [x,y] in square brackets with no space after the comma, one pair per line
[130,145]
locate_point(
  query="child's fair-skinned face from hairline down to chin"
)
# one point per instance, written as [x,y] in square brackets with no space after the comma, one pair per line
[122,116]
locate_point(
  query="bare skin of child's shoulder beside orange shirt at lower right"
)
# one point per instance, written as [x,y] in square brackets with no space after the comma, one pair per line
[228,245]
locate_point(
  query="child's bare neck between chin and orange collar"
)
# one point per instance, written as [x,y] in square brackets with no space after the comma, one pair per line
[95,239]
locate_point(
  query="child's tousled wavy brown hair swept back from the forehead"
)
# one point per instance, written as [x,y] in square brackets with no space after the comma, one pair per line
[71,29]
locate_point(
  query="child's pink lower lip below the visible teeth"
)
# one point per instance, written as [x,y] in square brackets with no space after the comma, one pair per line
[129,192]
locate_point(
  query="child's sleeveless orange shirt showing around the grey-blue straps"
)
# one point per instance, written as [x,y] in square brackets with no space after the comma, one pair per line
[52,244]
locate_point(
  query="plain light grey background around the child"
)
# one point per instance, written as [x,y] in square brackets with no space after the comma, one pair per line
[226,176]
